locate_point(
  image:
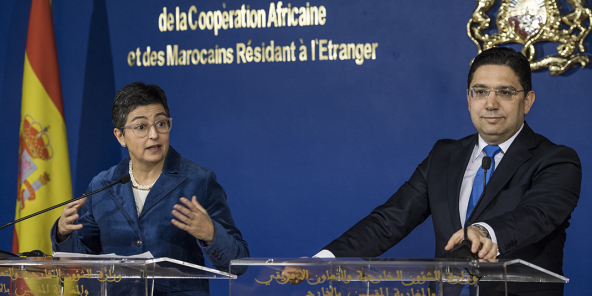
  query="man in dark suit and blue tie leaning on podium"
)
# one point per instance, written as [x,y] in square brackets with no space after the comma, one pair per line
[528,200]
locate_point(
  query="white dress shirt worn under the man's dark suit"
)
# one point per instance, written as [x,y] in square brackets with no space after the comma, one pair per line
[467,184]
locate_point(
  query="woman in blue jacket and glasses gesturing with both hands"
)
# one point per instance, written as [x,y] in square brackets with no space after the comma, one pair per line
[172,207]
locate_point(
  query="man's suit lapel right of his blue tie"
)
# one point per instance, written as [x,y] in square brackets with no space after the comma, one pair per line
[517,154]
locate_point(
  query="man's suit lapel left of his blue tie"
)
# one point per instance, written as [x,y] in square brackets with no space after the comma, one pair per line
[457,166]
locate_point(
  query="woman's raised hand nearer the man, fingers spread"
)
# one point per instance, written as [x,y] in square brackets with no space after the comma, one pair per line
[194,219]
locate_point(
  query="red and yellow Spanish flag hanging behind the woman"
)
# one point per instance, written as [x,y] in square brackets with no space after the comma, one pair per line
[44,166]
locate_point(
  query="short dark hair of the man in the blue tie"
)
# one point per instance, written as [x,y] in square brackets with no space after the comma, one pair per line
[504,56]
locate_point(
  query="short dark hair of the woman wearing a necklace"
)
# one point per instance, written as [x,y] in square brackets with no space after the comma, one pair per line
[133,95]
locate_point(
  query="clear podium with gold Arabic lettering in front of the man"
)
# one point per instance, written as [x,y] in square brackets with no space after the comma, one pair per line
[383,277]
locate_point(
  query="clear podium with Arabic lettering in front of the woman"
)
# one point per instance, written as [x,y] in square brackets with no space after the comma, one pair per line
[100,276]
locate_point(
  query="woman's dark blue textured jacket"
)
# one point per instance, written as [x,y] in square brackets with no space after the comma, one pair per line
[112,225]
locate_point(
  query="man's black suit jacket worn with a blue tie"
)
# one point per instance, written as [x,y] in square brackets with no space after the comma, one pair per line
[528,202]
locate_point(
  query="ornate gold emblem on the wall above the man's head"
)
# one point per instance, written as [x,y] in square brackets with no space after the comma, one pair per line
[530,21]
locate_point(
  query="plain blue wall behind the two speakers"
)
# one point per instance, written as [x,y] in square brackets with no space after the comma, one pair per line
[304,149]
